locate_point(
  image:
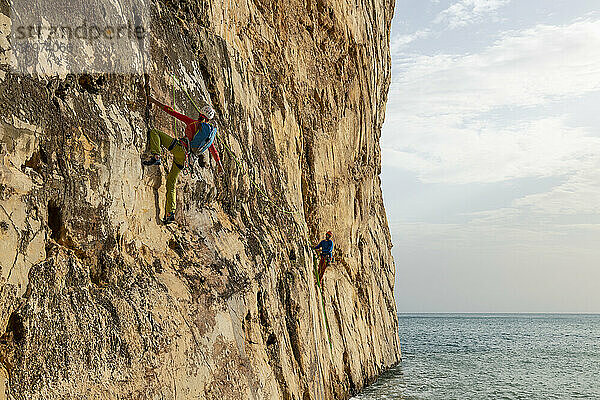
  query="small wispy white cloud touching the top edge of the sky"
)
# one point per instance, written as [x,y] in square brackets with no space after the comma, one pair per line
[467,12]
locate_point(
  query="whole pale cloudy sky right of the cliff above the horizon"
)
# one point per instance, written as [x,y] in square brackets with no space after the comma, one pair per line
[491,155]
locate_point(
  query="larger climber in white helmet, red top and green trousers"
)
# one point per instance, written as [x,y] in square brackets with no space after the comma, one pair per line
[199,136]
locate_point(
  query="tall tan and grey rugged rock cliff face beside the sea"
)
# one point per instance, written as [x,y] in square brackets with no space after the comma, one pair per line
[100,301]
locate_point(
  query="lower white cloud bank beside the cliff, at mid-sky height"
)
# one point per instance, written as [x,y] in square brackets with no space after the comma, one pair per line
[475,152]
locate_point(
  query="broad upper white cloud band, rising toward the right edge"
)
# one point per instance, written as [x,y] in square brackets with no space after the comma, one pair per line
[521,68]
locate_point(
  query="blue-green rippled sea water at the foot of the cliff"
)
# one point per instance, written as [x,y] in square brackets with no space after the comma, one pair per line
[494,356]
